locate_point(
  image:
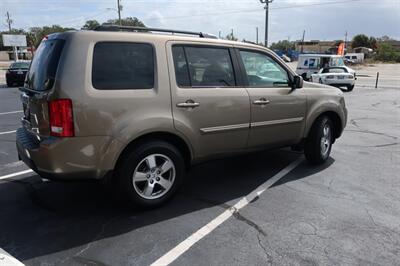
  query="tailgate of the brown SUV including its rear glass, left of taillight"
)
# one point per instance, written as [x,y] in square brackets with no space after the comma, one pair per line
[39,81]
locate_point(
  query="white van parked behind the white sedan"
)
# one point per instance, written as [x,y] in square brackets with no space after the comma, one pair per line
[311,63]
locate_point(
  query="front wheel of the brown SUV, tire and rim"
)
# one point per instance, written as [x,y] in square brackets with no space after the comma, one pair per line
[319,142]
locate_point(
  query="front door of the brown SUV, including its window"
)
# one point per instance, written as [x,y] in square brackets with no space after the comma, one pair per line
[277,111]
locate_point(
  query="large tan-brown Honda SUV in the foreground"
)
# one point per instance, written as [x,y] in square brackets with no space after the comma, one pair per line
[138,107]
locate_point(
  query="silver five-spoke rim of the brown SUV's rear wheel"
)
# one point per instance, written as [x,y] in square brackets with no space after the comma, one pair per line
[154,176]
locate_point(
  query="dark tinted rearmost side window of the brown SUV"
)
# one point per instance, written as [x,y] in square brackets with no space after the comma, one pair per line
[123,65]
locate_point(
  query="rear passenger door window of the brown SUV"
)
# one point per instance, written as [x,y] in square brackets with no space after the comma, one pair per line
[203,66]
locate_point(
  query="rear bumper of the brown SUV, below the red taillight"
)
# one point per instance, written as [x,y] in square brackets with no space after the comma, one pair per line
[66,158]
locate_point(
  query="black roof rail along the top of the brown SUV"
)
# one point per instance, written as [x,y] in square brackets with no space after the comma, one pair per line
[112,27]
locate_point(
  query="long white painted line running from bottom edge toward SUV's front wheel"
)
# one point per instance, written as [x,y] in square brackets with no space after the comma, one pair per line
[186,244]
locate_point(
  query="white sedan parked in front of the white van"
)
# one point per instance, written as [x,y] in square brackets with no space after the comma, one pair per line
[335,76]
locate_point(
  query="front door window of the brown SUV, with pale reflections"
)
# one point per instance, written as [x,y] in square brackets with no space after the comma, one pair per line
[263,71]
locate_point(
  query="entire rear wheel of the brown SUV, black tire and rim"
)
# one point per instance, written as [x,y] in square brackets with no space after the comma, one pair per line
[140,178]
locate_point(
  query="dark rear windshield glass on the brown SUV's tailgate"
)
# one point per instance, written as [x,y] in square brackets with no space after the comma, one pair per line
[42,72]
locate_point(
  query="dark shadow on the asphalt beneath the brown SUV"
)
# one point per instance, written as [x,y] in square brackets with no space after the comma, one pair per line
[40,218]
